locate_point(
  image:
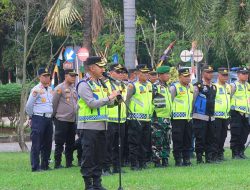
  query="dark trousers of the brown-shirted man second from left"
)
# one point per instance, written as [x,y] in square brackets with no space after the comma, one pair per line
[64,134]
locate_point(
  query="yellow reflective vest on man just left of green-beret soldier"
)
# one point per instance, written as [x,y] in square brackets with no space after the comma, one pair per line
[141,102]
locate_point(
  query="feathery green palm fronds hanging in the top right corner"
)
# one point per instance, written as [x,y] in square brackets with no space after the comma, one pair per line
[223,25]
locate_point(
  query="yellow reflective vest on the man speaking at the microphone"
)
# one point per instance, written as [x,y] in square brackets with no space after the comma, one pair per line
[85,113]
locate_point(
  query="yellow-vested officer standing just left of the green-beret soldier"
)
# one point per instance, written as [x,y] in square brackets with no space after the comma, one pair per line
[139,99]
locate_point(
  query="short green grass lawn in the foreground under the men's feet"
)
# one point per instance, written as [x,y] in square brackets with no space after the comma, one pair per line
[15,174]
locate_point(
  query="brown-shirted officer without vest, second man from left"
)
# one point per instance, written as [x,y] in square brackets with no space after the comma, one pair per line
[64,111]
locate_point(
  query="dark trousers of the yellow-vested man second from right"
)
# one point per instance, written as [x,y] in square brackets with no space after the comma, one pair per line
[221,126]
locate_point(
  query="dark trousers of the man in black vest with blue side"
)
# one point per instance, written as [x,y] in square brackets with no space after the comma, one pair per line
[205,140]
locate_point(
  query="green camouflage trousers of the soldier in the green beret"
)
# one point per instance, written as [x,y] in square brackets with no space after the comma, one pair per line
[161,139]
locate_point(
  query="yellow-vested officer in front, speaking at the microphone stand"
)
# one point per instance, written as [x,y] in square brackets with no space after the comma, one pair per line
[92,117]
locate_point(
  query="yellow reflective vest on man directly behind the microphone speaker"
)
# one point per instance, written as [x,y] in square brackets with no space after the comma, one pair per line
[113,111]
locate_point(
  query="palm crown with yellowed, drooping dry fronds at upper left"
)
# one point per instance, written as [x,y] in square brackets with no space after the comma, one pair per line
[65,12]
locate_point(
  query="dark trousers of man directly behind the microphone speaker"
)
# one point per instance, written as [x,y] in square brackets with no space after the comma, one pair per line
[112,144]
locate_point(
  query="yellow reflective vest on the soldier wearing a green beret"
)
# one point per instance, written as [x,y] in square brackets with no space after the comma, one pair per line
[162,101]
